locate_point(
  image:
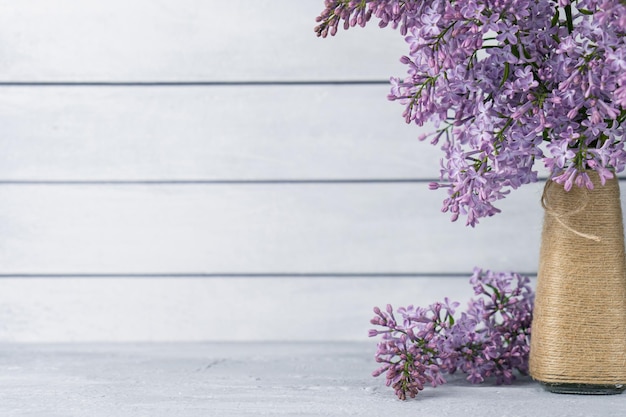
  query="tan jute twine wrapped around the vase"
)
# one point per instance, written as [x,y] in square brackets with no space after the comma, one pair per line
[579,319]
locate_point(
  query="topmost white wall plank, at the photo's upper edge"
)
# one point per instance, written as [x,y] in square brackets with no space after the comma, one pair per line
[185,40]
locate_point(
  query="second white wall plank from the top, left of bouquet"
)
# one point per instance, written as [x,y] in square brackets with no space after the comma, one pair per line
[260,132]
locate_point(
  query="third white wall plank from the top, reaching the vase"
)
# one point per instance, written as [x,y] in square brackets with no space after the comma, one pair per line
[257,229]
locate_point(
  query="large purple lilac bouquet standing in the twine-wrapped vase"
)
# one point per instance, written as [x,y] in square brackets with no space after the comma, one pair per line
[506,83]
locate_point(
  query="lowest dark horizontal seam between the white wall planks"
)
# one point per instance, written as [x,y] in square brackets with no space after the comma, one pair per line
[249,275]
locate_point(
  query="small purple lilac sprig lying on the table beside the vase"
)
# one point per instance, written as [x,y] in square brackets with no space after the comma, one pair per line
[491,338]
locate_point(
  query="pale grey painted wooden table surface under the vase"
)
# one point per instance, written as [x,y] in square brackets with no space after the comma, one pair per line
[244,379]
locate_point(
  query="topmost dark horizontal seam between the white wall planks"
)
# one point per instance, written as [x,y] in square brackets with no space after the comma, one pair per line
[188,83]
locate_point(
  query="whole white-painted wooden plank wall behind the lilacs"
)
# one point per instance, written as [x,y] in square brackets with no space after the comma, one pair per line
[203,170]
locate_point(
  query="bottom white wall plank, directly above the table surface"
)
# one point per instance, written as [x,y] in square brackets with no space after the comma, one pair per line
[39,310]
